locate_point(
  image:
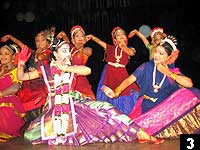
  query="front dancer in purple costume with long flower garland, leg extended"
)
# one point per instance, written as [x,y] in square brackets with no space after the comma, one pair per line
[69,118]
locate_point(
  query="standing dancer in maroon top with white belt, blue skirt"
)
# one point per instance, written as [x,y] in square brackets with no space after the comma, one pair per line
[117,57]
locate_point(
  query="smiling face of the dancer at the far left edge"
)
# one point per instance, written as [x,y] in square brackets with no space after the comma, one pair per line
[6,55]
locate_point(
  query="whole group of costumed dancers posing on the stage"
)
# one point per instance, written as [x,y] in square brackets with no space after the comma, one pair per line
[46,97]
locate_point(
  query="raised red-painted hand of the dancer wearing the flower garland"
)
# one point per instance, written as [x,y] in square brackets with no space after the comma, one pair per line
[24,54]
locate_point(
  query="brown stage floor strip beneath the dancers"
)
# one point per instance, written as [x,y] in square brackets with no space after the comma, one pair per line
[20,144]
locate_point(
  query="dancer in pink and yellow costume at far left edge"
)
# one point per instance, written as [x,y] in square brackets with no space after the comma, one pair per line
[11,109]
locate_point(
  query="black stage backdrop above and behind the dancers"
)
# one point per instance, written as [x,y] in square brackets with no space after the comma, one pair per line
[177,17]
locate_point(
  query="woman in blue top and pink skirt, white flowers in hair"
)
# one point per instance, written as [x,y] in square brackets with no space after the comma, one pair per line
[167,104]
